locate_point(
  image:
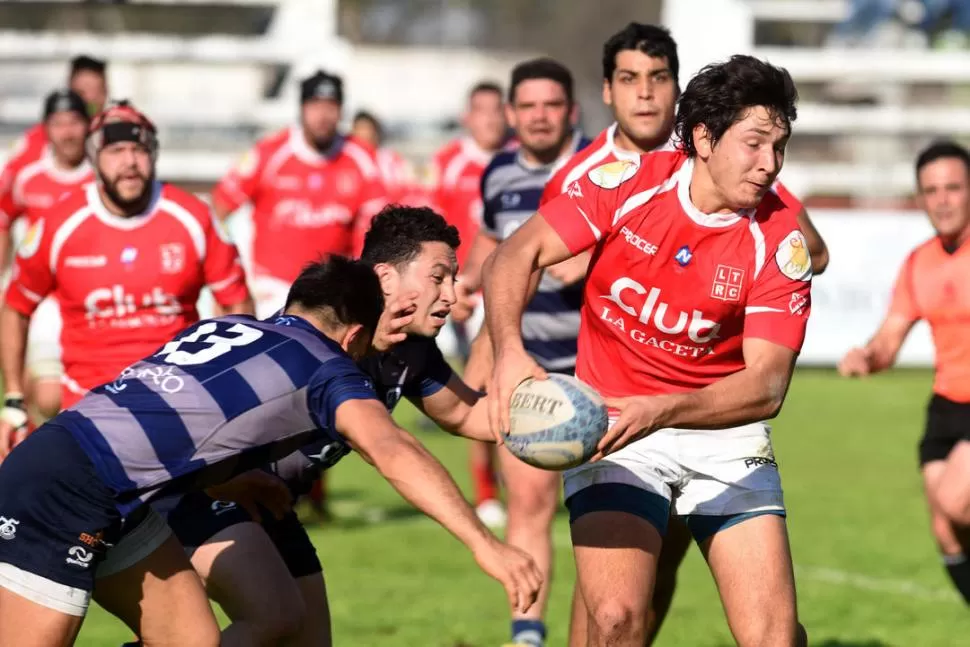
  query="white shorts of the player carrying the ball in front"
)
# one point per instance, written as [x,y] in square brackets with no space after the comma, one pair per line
[699,472]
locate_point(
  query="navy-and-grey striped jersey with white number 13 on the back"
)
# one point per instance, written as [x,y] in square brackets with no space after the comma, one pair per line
[224,396]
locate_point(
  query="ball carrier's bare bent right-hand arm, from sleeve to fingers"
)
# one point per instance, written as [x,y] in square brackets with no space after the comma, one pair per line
[754,393]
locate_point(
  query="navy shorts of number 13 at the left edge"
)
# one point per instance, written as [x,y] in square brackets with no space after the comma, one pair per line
[57,517]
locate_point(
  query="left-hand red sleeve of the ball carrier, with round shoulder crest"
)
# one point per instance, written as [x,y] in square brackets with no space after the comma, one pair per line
[584,213]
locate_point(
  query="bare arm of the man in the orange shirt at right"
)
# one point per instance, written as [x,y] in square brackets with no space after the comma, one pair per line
[880,353]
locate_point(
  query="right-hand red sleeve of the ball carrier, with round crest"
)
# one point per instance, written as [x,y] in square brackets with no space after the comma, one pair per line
[780,298]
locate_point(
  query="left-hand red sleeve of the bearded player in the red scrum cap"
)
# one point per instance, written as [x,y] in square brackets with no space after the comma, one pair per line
[33,277]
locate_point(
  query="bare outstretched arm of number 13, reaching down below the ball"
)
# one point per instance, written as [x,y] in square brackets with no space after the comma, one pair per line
[424,482]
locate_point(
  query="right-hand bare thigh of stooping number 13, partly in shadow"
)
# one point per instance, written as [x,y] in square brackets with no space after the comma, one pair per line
[161,599]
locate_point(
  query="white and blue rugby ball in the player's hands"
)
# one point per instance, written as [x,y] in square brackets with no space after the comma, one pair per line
[555,423]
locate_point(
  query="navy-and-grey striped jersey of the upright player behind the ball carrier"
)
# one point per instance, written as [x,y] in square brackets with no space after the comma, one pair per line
[511,190]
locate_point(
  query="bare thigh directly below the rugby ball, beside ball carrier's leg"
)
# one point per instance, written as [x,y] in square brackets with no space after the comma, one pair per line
[531,494]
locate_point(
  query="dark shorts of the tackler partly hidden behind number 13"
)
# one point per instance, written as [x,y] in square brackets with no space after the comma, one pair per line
[197,517]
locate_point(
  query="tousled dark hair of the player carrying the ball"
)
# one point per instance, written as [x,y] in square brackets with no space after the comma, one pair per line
[720,94]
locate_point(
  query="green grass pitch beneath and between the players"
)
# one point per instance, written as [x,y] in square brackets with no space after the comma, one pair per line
[867,569]
